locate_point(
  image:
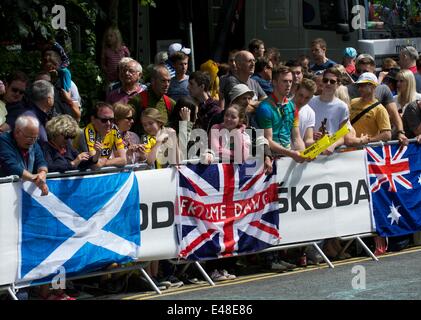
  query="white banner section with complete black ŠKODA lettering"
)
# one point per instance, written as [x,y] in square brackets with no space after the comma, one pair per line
[323,199]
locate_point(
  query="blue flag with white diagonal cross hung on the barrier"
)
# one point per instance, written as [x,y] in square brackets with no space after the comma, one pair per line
[83,224]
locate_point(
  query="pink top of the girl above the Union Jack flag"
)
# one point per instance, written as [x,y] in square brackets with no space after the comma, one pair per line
[234,145]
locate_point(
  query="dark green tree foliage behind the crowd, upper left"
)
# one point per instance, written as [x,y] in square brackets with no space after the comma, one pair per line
[27,24]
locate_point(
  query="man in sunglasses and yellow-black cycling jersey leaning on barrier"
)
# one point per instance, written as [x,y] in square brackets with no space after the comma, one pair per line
[101,135]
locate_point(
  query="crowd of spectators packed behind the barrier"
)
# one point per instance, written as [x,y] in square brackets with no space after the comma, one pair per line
[290,101]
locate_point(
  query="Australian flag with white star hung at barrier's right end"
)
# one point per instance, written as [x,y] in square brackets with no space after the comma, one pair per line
[395,184]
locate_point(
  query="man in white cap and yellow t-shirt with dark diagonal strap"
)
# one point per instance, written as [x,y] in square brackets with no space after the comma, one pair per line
[368,116]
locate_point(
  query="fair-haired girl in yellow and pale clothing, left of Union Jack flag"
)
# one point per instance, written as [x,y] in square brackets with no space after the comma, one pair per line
[160,142]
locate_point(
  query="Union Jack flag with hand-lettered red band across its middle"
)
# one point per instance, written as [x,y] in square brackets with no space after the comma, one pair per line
[226,210]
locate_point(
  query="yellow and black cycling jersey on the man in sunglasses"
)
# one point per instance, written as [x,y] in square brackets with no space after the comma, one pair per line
[112,141]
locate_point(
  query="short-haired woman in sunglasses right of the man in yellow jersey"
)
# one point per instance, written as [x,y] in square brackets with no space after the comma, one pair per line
[124,119]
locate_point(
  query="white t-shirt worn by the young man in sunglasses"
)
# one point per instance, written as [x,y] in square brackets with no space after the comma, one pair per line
[335,111]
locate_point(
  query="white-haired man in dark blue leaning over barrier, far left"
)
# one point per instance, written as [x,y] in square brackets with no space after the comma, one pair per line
[21,155]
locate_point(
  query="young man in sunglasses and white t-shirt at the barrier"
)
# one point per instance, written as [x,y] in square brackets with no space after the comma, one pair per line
[329,110]
